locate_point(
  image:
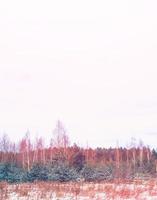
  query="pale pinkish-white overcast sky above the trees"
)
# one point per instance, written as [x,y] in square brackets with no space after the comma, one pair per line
[90,64]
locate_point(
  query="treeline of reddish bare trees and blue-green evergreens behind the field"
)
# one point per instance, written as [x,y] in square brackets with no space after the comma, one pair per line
[60,161]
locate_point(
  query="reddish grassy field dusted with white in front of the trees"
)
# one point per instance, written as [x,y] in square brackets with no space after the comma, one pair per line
[135,190]
